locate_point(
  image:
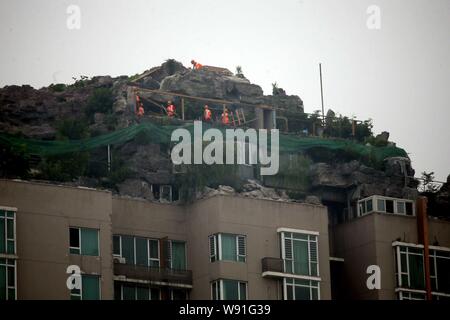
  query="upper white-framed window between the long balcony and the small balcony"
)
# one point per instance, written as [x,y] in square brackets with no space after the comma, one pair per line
[228,247]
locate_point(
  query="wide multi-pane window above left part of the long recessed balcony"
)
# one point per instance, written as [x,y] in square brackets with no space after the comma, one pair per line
[137,250]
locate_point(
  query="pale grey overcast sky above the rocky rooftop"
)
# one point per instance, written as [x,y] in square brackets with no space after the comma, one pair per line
[396,74]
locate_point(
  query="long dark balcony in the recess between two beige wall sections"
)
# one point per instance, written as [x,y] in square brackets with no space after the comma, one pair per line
[155,275]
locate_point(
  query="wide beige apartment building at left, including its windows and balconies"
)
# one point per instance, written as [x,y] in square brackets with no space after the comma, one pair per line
[221,247]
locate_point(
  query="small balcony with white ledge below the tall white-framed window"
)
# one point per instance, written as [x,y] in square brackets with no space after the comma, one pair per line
[276,268]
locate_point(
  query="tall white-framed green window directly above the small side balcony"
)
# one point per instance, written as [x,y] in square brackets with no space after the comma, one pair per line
[300,253]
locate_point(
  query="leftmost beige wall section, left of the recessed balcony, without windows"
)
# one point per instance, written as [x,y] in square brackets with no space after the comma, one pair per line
[44,214]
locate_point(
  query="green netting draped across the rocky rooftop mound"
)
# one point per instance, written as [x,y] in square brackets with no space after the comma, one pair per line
[158,133]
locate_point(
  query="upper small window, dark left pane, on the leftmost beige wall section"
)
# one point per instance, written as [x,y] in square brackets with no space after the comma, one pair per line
[83,241]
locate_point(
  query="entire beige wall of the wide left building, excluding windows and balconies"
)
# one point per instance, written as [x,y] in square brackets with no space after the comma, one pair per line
[45,212]
